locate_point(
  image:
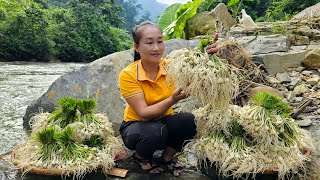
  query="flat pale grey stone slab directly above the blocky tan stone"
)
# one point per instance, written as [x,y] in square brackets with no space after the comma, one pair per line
[264,44]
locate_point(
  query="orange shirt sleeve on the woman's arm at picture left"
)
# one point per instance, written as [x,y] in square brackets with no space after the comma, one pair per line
[129,85]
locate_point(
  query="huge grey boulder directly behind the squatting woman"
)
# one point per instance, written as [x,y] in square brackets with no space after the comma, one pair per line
[98,80]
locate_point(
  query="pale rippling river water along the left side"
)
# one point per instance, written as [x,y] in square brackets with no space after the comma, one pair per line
[20,84]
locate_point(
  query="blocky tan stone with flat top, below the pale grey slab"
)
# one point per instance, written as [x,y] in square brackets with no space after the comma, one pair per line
[280,61]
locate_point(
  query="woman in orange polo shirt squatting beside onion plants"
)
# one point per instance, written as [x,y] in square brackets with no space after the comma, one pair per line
[149,123]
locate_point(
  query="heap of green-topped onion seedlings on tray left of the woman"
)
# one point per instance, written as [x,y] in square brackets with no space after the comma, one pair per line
[71,140]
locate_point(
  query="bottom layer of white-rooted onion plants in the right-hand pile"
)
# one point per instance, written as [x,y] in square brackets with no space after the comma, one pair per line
[236,152]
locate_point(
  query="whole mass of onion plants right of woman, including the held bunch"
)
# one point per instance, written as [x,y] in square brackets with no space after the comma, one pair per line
[260,137]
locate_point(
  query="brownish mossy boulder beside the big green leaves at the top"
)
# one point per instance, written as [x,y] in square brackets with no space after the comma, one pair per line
[204,23]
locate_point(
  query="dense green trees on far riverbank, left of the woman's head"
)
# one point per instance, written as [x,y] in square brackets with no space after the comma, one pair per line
[65,30]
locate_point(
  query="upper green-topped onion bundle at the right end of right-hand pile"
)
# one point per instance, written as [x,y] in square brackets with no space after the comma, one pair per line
[268,119]
